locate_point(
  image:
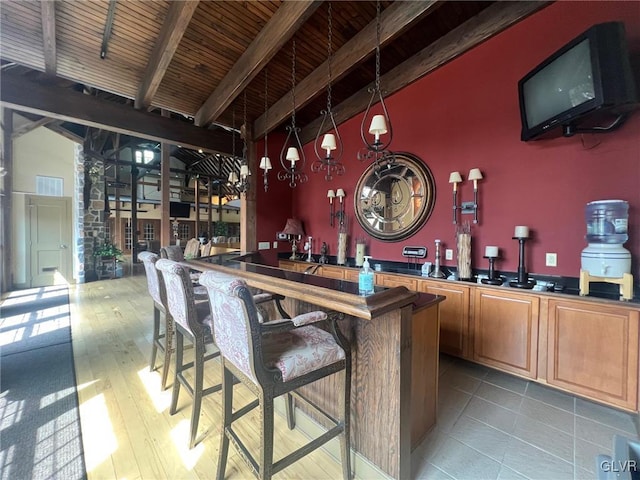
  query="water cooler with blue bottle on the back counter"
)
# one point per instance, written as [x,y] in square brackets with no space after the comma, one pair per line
[605,259]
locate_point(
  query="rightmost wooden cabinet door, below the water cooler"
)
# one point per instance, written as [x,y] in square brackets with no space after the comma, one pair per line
[593,351]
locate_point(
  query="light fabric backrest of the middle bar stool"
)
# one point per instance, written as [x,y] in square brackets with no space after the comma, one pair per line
[180,296]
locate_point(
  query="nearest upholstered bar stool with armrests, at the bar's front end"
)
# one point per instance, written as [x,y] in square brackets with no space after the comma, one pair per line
[273,359]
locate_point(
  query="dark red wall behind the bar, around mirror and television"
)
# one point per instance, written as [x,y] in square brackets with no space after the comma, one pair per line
[466,115]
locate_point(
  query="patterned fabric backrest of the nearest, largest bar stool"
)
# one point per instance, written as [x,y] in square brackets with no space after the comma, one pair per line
[235,319]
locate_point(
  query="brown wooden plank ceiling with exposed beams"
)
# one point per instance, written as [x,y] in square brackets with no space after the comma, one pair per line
[197,59]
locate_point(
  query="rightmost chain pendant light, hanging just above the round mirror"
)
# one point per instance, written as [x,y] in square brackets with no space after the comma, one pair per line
[380,123]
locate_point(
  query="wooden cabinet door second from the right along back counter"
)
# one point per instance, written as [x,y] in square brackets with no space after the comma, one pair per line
[506,331]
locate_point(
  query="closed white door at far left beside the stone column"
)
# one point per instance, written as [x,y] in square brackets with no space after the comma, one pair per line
[50,240]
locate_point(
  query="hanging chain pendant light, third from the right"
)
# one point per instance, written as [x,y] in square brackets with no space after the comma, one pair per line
[292,156]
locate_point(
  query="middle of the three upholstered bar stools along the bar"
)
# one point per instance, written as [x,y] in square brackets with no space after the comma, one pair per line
[192,320]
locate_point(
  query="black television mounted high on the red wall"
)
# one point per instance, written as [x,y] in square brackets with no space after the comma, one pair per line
[587,81]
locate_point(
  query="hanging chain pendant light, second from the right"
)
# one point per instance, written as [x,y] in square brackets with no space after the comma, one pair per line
[331,141]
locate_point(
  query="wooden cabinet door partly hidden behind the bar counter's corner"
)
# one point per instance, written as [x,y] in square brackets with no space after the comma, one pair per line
[454,316]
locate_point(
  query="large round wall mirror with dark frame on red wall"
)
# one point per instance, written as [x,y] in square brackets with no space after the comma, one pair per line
[393,200]
